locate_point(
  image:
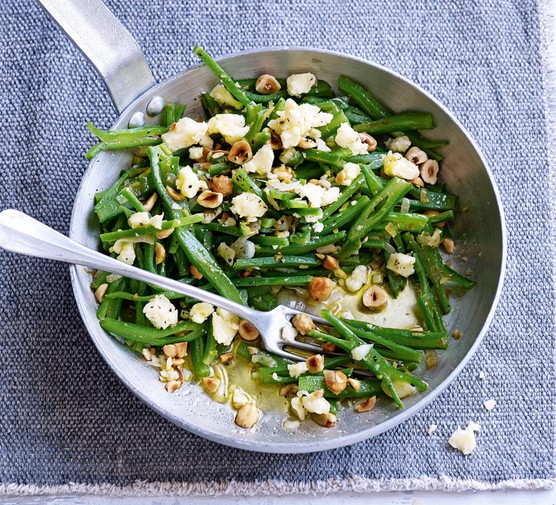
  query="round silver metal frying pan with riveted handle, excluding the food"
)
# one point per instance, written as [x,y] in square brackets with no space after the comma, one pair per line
[479,231]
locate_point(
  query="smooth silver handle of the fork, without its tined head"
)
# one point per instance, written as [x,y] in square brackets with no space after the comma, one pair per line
[22,234]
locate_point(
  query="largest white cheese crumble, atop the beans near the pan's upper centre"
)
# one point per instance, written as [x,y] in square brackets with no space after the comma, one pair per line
[297,122]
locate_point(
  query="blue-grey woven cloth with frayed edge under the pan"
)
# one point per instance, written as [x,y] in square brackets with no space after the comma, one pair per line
[68,424]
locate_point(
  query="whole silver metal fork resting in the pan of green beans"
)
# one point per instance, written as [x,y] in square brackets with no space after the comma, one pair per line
[22,234]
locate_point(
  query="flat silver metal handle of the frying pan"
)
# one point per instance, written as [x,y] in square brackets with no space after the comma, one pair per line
[106,44]
